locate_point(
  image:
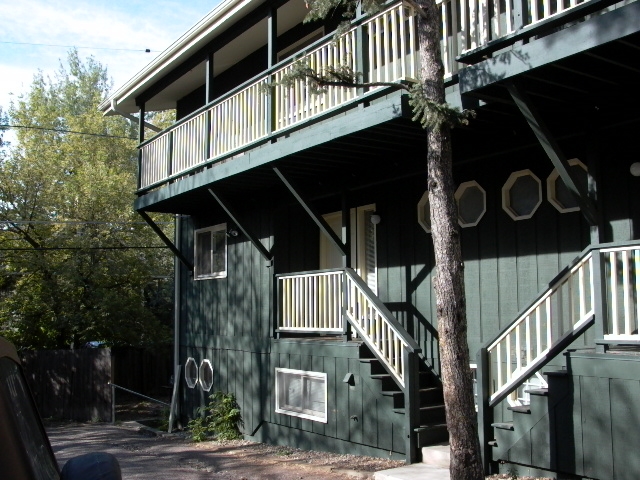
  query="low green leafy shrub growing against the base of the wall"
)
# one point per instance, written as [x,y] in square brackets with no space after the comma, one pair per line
[220,418]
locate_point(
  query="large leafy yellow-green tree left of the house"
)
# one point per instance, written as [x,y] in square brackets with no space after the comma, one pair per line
[77,264]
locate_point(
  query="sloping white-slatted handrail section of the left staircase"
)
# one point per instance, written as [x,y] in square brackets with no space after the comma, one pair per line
[377,326]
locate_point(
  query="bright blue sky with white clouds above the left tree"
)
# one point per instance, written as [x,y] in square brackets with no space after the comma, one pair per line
[117,30]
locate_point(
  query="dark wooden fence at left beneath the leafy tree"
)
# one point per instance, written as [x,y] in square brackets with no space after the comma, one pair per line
[74,384]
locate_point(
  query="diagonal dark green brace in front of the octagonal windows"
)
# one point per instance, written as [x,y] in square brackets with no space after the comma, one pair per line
[551,147]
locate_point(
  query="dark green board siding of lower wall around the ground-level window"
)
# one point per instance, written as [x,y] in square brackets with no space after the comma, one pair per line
[360,419]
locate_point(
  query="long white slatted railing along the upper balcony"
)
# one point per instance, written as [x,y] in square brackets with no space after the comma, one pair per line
[390,52]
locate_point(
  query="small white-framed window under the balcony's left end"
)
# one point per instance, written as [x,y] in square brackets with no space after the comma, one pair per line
[211,252]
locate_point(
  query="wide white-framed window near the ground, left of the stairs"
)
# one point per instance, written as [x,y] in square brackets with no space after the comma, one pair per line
[301,394]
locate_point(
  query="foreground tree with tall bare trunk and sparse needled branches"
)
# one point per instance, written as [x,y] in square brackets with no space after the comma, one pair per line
[427,98]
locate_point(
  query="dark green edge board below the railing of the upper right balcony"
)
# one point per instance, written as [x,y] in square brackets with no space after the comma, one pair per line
[578,38]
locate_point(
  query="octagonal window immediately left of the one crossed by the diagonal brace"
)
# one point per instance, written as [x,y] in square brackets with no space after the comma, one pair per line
[521,195]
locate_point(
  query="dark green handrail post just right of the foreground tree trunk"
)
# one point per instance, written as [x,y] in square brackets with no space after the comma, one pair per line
[485,411]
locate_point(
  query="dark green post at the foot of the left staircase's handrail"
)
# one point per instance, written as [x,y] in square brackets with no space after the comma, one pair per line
[411,404]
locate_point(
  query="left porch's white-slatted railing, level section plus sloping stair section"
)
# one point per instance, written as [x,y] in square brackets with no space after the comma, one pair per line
[312,302]
